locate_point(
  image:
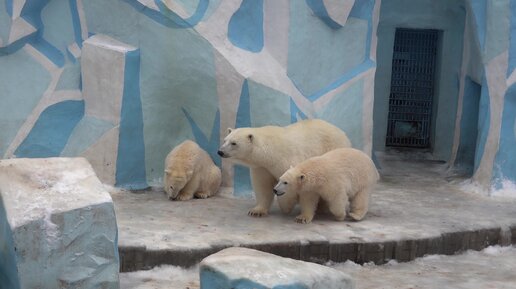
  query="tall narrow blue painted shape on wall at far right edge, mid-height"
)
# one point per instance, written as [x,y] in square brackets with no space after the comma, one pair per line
[505,161]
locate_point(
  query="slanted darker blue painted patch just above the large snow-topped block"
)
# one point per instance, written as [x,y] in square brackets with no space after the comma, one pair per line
[51,131]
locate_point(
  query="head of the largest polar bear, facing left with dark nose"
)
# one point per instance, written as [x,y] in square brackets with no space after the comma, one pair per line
[238,144]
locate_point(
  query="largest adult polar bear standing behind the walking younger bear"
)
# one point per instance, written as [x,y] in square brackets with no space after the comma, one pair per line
[269,151]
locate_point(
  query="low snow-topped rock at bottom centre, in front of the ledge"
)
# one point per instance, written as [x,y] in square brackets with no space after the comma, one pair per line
[246,268]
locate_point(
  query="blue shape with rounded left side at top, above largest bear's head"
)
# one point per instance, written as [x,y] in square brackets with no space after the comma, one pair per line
[245,29]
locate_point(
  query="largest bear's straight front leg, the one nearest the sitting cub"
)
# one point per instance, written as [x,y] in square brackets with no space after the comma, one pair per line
[263,183]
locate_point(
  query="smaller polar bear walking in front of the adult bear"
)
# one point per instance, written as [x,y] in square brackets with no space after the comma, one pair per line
[340,177]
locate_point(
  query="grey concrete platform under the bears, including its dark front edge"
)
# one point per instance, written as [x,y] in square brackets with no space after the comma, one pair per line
[417,209]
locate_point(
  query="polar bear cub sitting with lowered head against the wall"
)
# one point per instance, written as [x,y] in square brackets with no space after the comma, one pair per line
[189,172]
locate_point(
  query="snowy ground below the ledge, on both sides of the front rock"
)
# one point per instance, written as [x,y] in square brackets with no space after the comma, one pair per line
[494,267]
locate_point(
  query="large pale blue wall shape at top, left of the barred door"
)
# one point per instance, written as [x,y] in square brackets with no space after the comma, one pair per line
[320,57]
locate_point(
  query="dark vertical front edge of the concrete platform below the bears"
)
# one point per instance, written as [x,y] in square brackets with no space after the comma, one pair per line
[135,259]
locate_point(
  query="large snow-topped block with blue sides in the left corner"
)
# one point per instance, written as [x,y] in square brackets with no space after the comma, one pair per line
[57,226]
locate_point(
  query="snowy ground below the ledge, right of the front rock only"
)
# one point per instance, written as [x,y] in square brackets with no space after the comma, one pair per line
[494,267]
